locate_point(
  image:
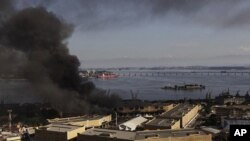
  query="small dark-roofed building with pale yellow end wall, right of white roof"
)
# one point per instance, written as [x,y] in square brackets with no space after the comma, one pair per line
[162,123]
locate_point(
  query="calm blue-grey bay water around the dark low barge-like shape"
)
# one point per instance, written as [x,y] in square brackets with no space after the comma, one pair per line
[149,88]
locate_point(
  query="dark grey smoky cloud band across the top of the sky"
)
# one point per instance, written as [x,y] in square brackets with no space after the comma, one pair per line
[104,14]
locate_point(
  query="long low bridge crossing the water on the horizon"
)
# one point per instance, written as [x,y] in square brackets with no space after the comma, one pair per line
[180,73]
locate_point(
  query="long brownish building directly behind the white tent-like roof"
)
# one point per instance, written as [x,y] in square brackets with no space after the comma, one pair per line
[133,107]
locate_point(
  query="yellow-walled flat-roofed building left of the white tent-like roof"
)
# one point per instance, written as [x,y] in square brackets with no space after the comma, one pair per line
[86,121]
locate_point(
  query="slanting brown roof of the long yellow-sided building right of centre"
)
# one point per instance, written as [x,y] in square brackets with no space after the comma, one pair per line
[178,111]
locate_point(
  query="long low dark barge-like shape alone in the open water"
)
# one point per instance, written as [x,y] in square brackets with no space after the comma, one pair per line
[185,87]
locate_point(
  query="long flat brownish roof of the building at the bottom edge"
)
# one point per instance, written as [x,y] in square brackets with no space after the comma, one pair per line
[142,134]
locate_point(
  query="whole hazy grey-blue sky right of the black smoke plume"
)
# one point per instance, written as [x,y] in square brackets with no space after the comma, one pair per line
[121,33]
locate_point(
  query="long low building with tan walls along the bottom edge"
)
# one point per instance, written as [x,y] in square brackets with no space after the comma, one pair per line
[161,135]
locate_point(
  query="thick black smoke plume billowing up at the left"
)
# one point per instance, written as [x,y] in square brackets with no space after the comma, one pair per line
[33,45]
